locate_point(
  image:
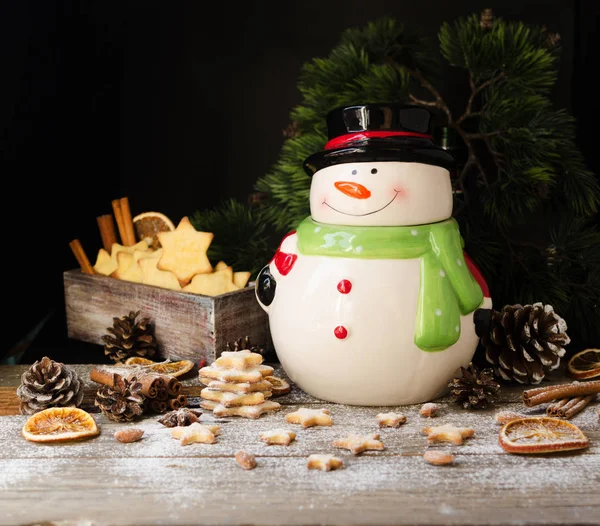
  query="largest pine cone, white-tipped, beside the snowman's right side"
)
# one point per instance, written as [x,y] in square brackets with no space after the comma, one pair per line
[524,343]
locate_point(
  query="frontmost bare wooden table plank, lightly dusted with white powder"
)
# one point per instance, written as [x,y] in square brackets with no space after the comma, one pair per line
[370,490]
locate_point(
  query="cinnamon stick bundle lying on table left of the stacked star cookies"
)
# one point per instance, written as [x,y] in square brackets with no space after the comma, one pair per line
[162,392]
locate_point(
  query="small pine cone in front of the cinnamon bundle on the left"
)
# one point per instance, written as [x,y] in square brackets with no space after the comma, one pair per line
[122,402]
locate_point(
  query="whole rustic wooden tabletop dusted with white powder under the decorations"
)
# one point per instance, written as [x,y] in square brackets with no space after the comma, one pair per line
[158,481]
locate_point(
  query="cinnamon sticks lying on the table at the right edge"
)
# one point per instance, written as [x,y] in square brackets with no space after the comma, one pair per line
[566,400]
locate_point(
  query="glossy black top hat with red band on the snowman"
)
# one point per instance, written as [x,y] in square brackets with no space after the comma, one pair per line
[379,132]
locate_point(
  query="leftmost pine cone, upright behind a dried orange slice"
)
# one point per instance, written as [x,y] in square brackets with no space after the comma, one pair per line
[49,384]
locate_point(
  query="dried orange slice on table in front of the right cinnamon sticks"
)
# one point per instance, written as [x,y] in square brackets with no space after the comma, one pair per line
[541,434]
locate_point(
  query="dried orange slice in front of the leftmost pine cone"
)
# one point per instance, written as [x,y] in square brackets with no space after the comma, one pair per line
[60,424]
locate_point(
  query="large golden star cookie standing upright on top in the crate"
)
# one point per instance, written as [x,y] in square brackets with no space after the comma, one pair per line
[184,251]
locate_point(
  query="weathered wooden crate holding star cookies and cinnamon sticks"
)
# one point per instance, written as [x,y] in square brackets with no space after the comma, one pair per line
[187,326]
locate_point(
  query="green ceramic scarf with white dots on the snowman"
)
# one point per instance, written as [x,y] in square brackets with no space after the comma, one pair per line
[448,290]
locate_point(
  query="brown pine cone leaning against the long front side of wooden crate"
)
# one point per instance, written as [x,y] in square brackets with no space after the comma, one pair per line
[130,338]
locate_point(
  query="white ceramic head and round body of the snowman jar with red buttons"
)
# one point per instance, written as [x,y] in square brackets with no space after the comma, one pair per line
[376,362]
